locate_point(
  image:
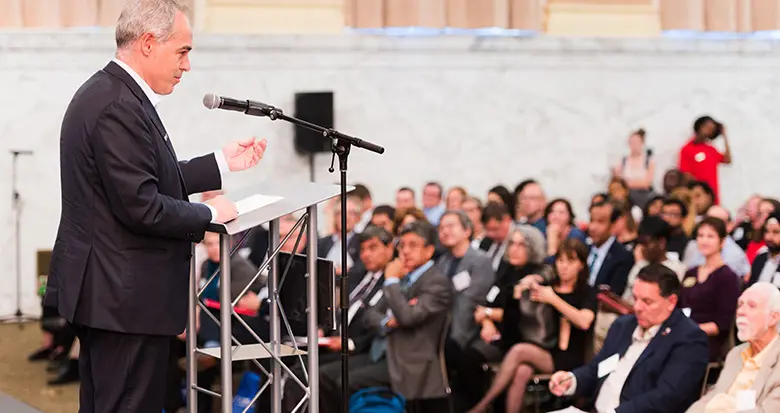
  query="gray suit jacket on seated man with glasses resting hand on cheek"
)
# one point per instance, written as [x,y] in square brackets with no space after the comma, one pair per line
[413,348]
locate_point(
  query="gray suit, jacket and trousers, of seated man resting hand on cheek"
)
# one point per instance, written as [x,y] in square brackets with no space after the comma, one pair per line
[410,363]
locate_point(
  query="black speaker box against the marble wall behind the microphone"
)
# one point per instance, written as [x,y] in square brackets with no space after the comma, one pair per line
[317,108]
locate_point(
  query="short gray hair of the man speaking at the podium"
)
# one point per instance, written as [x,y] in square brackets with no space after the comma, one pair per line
[147,16]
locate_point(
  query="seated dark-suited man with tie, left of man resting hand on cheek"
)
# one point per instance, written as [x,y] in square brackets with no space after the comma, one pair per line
[365,291]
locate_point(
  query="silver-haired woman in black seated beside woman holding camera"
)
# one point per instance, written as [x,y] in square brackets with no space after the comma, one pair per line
[521,264]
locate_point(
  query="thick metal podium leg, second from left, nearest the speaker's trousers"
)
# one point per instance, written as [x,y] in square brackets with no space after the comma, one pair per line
[226,332]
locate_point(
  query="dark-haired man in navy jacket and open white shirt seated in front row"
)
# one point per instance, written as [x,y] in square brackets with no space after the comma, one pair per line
[653,361]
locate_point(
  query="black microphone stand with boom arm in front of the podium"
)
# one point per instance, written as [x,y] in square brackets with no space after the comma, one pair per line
[341,146]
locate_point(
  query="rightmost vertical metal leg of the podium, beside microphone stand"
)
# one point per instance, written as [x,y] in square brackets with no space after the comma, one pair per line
[313,347]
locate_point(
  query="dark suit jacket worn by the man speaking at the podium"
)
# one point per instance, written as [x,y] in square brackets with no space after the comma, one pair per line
[121,258]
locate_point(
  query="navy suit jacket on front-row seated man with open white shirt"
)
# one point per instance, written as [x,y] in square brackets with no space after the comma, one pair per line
[666,378]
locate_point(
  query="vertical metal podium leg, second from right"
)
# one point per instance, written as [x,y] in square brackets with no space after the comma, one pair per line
[275,327]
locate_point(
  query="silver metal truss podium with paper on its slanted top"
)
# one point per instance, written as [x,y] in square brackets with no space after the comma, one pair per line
[263,203]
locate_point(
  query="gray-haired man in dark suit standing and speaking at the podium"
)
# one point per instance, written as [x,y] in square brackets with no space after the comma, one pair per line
[120,262]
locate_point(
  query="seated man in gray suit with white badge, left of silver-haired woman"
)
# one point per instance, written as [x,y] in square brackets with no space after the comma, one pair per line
[472,275]
